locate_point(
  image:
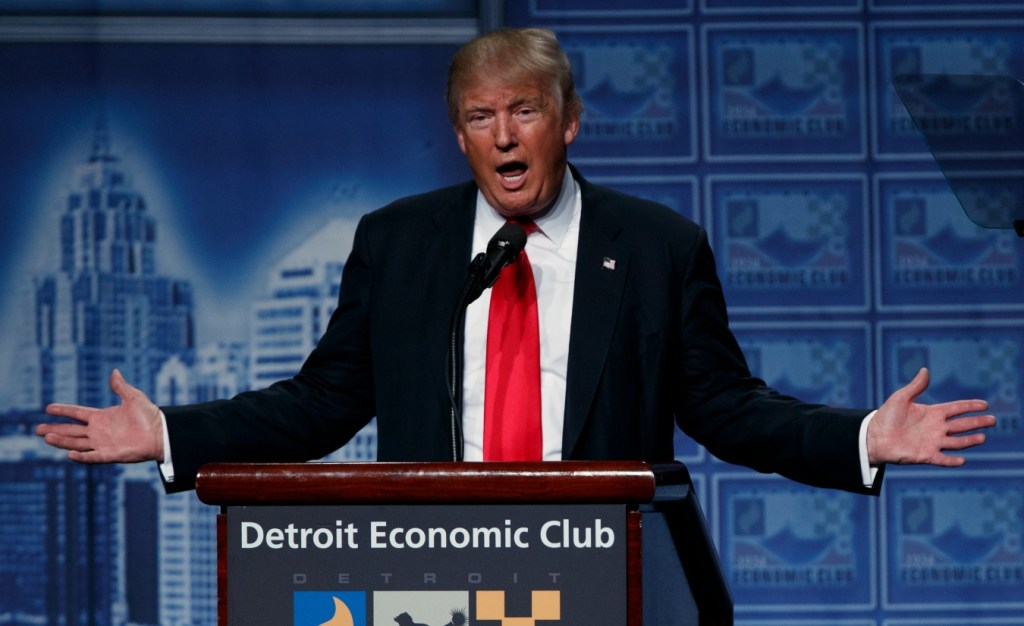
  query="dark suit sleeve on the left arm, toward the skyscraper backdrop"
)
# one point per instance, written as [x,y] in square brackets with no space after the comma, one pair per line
[298,420]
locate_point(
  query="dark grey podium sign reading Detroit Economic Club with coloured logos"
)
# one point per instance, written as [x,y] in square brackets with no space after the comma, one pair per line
[371,564]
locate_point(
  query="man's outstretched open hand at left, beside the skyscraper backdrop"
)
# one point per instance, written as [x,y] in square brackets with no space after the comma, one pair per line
[129,433]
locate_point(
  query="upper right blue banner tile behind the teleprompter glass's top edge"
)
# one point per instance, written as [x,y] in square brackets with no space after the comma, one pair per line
[903,49]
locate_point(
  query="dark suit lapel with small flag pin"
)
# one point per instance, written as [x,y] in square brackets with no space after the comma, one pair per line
[603,265]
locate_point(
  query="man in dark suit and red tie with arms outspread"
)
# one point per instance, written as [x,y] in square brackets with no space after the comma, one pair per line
[634,335]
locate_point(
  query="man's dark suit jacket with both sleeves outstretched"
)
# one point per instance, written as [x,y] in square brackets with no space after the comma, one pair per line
[650,348]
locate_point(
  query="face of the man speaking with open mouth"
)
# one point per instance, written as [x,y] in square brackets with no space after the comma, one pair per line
[516,139]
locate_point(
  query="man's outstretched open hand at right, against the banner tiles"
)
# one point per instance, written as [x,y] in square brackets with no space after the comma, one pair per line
[905,432]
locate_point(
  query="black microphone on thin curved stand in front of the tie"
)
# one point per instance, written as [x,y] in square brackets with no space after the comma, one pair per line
[484,271]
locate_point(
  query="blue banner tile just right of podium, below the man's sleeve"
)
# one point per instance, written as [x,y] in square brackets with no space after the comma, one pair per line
[787,545]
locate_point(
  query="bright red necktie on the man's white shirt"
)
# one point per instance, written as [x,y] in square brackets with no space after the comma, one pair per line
[513,392]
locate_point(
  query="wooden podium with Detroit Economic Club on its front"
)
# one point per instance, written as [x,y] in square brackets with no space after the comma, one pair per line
[669,574]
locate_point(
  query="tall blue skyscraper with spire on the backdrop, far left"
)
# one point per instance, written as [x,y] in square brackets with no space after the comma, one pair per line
[106,307]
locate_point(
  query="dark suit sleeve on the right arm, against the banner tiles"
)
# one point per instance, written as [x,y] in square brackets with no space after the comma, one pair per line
[736,415]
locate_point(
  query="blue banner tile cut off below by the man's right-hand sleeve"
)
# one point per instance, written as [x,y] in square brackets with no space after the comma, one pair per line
[818,364]
